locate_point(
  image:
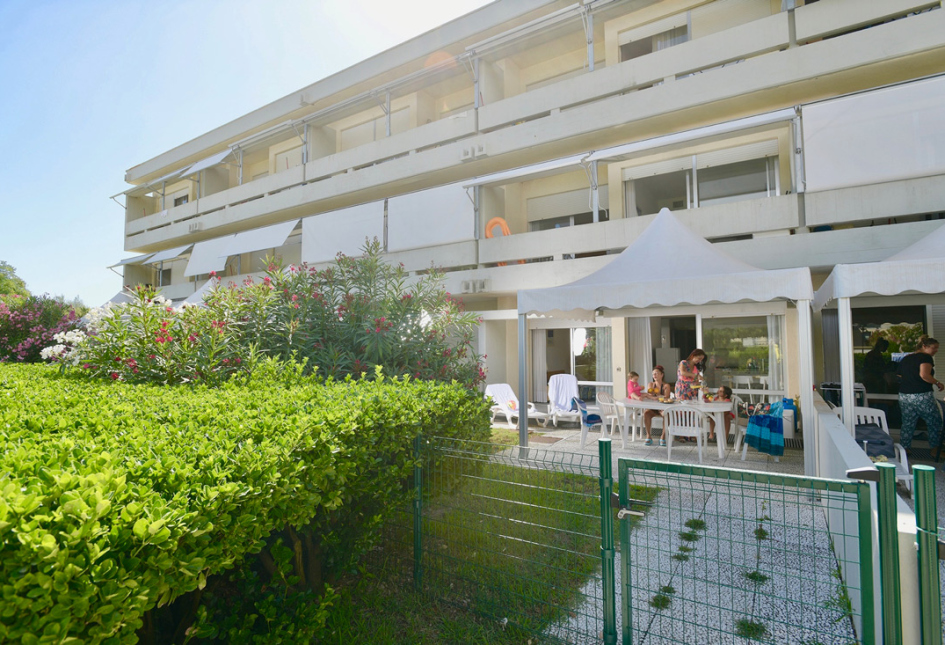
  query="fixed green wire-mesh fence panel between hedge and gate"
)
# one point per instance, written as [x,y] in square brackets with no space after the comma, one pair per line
[514,535]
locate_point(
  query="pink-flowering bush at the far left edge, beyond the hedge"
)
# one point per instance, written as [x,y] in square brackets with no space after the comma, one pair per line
[29,323]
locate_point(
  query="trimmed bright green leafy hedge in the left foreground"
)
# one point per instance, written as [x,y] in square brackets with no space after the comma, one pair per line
[115,498]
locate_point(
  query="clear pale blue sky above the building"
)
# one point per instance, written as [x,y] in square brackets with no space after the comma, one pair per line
[90,88]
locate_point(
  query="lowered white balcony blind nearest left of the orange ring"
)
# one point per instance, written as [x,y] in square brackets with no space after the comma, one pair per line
[440,215]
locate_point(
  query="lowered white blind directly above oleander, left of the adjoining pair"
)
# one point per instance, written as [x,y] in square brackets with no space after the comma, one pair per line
[345,231]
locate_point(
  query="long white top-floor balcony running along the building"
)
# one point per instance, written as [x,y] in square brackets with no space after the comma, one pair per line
[751,64]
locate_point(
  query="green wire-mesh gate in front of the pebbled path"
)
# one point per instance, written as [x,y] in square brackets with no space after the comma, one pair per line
[728,556]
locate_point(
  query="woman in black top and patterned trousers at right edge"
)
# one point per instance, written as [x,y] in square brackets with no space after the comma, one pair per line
[916,380]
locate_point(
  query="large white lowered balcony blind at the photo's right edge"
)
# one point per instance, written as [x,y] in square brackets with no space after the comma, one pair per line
[880,136]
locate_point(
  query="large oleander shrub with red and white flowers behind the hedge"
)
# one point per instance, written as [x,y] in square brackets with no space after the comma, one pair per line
[348,319]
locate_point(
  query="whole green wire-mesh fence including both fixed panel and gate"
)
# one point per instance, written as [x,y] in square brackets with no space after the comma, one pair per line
[527,538]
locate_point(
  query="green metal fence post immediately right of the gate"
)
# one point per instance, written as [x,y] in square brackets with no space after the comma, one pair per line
[889,553]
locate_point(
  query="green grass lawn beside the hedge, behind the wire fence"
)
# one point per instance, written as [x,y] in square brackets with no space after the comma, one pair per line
[506,551]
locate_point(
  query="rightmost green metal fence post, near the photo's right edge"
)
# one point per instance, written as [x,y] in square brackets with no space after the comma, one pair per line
[926,519]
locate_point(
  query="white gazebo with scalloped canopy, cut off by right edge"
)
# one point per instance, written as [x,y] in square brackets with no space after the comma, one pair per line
[917,269]
